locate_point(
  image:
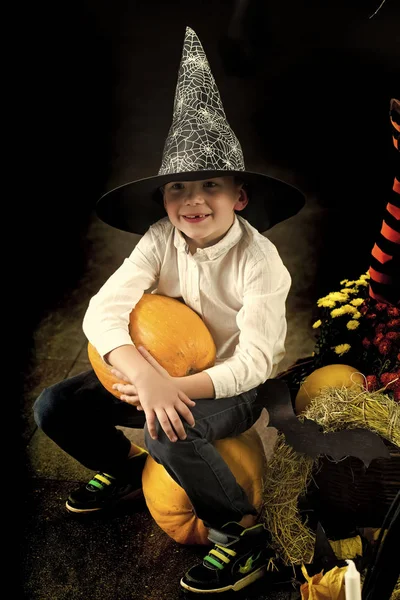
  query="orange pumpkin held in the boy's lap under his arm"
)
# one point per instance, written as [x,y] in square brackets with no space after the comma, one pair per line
[172,332]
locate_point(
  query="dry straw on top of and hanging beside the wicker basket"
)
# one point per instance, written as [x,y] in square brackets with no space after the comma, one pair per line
[289,473]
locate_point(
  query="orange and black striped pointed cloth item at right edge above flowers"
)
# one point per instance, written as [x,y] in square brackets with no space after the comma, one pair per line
[385,256]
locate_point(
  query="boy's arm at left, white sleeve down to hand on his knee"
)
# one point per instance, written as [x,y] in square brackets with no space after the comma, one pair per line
[106,325]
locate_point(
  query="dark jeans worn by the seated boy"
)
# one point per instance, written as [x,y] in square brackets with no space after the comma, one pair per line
[80,416]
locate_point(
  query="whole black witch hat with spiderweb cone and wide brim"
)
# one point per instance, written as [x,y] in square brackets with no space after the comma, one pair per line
[200,145]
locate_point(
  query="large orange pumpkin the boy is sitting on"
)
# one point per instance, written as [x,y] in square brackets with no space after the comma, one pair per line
[169,504]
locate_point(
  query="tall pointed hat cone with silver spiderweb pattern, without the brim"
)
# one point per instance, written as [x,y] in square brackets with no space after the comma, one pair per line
[200,137]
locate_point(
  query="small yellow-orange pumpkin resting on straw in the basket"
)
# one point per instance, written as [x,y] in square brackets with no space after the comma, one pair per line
[335,375]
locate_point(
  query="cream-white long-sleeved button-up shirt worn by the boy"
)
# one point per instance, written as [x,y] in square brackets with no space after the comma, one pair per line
[238,286]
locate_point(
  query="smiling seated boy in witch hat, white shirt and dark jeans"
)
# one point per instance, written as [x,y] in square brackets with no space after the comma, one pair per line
[233,277]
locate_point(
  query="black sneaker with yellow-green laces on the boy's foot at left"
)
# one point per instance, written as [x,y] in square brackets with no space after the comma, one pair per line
[104,490]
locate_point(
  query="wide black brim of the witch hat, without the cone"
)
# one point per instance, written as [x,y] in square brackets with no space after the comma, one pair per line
[136,205]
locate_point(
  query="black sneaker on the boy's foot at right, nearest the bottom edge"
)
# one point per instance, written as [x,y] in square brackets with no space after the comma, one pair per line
[238,558]
